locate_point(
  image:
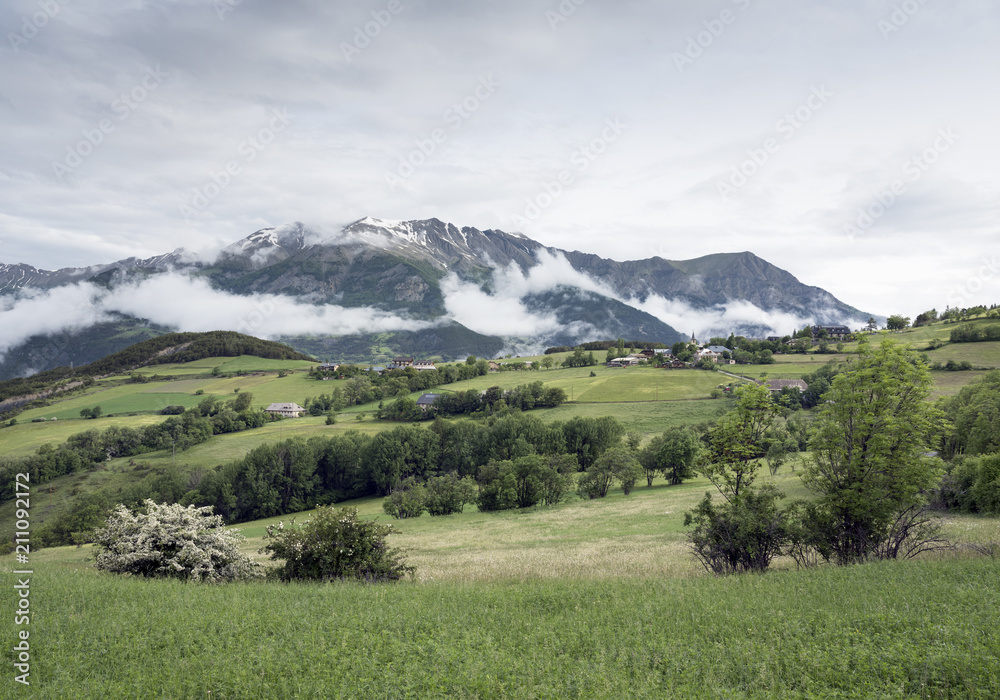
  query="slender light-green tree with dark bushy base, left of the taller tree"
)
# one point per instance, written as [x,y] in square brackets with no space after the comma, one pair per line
[747,530]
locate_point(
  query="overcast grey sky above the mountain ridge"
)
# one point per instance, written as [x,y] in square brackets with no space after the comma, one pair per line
[851,142]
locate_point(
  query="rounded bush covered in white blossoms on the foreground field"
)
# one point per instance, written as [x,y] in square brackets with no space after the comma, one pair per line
[172,541]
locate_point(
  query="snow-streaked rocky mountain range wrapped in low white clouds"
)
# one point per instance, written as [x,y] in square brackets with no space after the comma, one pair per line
[375,288]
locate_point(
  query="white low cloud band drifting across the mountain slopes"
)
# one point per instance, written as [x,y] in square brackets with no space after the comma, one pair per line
[190,304]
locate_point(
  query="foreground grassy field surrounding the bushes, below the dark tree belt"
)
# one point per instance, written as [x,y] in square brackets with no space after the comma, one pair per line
[587,599]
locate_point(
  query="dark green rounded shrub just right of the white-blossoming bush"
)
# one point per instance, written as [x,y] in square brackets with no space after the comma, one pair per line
[335,545]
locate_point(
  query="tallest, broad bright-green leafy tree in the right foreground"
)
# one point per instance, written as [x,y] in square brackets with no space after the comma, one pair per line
[869,471]
